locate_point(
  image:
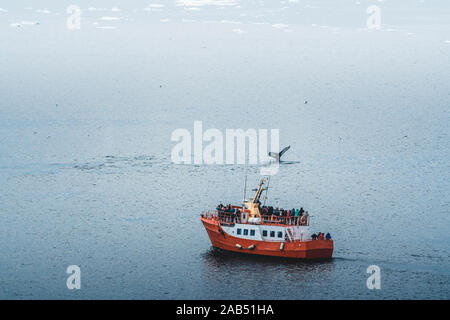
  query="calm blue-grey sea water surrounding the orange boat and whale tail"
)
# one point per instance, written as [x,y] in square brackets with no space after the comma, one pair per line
[87,179]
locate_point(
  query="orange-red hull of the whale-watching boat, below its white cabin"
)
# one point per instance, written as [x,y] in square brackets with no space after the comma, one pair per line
[315,249]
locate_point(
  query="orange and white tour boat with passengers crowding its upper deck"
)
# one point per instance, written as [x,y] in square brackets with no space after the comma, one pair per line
[251,229]
